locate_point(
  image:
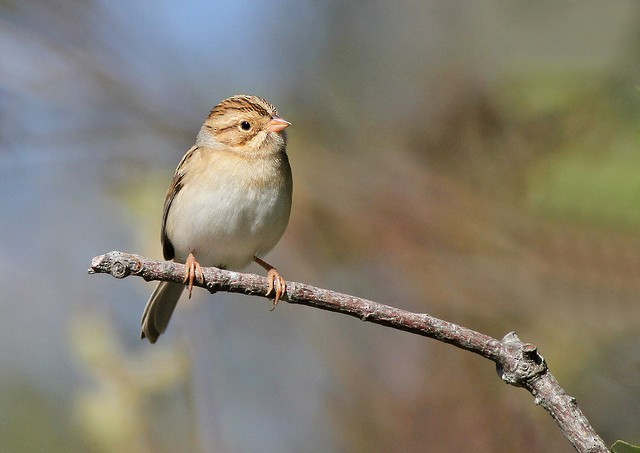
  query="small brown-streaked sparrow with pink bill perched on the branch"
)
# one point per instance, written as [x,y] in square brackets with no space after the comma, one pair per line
[228,203]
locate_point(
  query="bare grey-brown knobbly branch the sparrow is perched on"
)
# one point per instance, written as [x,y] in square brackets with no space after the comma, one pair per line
[517,363]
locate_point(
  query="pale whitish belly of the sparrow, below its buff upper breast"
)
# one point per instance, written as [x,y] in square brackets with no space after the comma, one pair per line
[227,227]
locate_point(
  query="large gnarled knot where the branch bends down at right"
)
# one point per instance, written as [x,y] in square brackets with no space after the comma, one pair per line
[521,362]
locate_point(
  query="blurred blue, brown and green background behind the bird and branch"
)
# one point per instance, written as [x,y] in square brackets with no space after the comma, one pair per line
[477,161]
